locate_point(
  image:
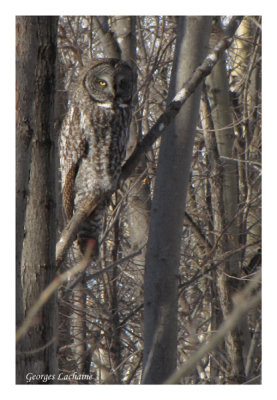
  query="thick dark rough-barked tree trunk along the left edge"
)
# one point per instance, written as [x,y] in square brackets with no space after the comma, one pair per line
[36,190]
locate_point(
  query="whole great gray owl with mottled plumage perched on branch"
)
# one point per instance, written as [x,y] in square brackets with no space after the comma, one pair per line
[94,138]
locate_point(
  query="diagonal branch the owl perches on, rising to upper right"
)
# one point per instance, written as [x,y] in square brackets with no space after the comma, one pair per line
[69,233]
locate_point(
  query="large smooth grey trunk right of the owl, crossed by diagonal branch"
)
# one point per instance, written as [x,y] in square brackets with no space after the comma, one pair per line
[163,252]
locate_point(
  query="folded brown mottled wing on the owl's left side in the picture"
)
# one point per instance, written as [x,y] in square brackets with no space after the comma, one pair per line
[73,147]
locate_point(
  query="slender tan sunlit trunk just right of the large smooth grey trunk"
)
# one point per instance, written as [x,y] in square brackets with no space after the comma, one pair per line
[225,203]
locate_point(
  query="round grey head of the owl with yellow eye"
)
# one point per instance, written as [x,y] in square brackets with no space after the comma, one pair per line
[109,82]
